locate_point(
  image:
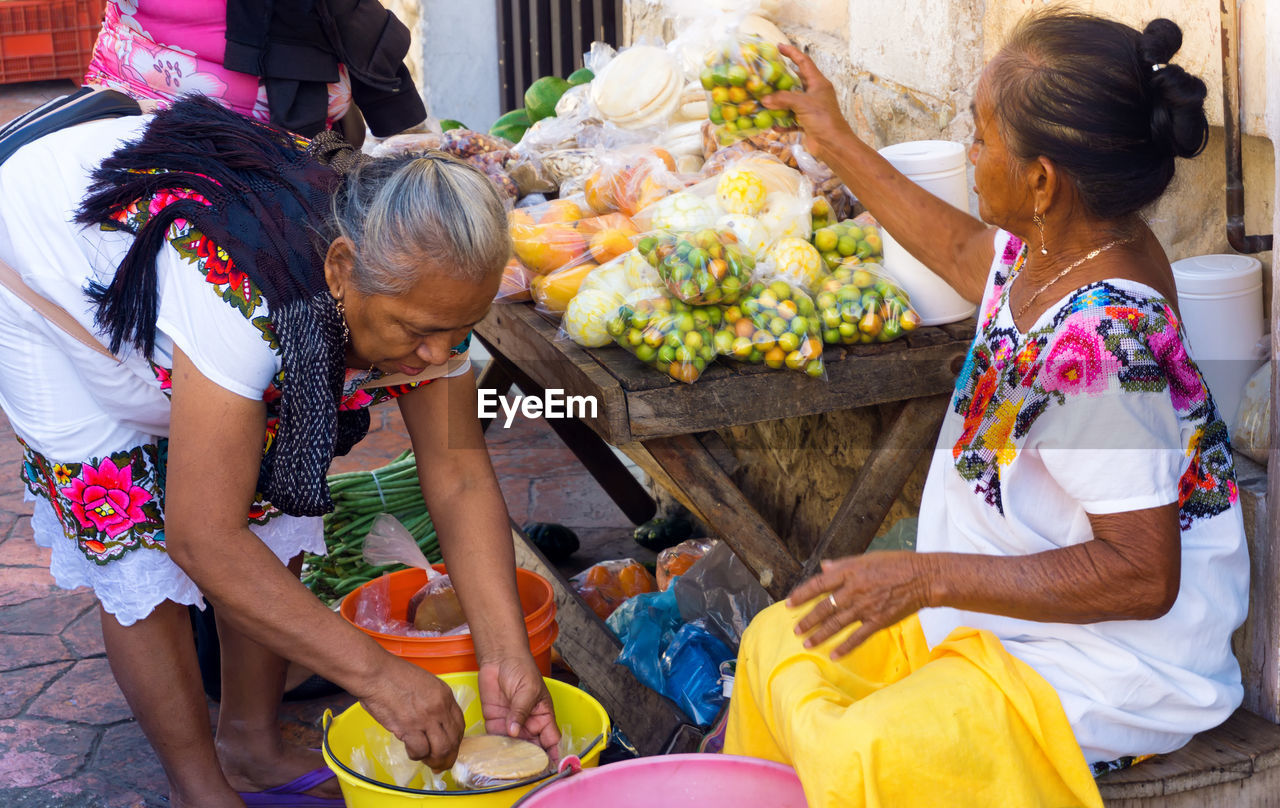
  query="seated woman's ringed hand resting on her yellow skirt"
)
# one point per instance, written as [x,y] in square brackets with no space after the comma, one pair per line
[876,590]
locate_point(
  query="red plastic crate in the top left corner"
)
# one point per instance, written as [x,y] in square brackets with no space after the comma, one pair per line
[48,39]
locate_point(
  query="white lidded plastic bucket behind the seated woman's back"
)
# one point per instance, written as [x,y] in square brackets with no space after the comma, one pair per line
[1220,299]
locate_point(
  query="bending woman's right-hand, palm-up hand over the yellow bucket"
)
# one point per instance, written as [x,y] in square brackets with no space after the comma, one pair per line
[516,702]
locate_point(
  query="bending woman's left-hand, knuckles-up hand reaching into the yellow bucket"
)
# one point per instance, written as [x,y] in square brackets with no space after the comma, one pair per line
[418,709]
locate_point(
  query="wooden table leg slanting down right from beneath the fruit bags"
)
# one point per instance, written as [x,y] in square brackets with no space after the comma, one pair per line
[712,496]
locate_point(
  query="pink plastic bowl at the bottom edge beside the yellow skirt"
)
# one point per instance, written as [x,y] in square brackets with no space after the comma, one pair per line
[676,782]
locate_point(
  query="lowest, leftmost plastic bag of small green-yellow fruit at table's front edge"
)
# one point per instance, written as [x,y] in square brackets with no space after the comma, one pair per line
[666,334]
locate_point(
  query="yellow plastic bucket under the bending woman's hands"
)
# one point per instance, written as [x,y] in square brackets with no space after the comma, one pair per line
[578,715]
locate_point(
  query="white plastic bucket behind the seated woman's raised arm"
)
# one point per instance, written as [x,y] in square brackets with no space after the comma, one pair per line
[939,167]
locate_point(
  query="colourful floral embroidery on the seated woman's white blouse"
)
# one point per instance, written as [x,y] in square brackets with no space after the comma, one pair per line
[1101,337]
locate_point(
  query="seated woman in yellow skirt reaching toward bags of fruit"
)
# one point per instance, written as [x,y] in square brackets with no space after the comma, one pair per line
[1082,559]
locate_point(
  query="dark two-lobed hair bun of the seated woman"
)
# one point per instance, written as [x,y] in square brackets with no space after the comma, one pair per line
[1178,121]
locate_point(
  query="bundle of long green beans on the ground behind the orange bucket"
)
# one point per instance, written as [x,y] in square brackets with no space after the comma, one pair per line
[359,499]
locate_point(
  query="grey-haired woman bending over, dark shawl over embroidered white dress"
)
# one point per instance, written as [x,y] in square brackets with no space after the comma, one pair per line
[259,293]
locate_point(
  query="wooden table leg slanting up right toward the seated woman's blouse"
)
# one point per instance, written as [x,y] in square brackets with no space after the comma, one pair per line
[881,481]
